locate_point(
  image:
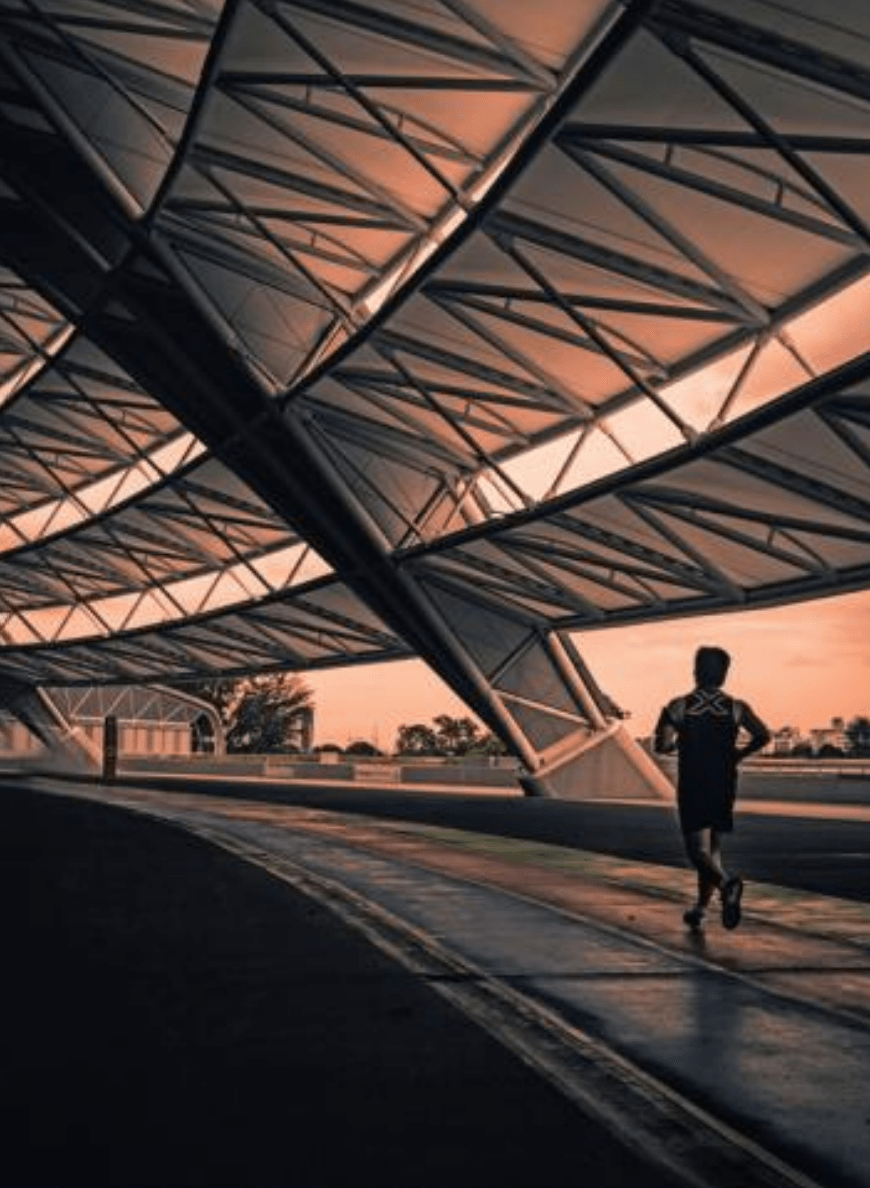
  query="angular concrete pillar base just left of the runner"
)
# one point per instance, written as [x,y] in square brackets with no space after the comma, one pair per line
[609,766]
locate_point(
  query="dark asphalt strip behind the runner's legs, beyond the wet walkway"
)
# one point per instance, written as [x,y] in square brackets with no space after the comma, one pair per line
[800,845]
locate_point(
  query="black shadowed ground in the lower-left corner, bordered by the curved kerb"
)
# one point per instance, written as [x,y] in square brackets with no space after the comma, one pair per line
[174,1018]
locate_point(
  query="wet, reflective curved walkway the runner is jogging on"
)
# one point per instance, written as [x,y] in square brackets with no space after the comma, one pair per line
[761,1037]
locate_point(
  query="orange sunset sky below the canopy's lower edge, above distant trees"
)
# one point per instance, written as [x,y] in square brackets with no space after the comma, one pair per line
[798,666]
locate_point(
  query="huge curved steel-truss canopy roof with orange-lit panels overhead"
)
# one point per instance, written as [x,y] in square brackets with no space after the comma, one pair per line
[301,301]
